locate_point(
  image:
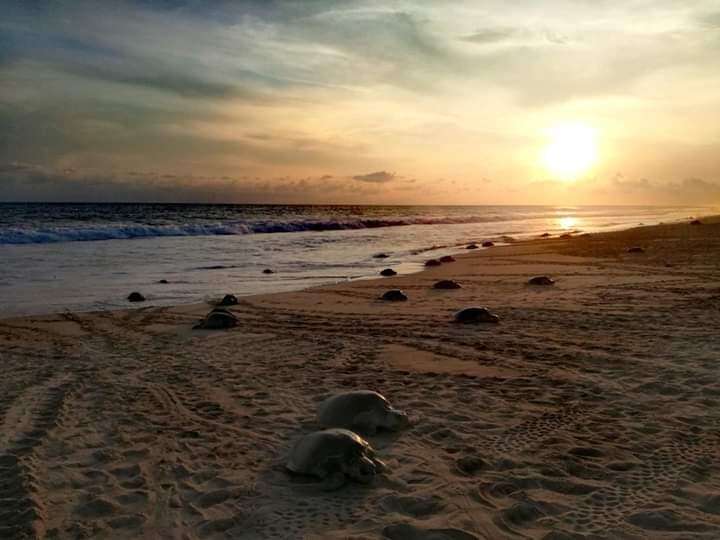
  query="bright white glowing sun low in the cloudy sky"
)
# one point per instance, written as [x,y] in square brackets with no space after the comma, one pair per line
[571,150]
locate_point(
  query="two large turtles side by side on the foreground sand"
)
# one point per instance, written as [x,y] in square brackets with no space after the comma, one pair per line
[337,452]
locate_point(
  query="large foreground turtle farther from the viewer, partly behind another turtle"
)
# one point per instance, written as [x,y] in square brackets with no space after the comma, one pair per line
[363,410]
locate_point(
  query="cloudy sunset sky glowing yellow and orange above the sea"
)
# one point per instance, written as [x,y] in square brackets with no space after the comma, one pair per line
[430,102]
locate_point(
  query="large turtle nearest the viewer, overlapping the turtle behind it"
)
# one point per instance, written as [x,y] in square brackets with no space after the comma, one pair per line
[332,455]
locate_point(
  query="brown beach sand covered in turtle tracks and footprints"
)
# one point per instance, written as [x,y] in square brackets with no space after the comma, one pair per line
[591,411]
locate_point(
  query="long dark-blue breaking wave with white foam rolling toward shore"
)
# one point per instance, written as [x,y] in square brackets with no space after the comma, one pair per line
[46,235]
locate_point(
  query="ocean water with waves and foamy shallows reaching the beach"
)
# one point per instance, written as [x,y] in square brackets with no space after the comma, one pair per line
[85,257]
